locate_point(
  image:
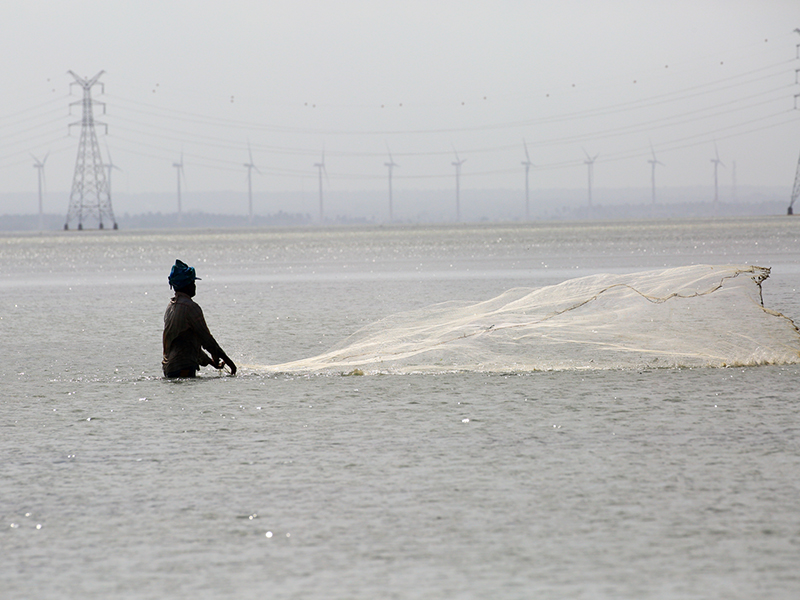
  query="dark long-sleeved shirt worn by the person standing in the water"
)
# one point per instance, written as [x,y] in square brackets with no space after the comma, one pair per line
[185,334]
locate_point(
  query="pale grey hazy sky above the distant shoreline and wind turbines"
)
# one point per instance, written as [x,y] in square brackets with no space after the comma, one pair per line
[204,77]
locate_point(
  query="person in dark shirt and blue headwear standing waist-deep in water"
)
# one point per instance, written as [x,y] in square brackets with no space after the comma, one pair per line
[185,331]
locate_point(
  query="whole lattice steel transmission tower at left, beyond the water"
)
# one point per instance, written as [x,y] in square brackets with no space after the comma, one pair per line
[90,195]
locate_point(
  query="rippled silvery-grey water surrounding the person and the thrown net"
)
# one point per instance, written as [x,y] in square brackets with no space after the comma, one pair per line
[626,481]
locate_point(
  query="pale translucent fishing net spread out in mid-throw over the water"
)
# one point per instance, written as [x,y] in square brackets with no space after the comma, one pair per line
[683,317]
